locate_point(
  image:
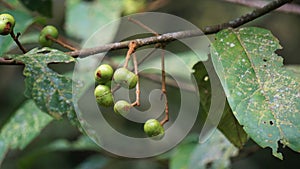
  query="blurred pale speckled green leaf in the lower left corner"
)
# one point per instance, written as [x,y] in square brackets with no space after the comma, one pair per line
[22,128]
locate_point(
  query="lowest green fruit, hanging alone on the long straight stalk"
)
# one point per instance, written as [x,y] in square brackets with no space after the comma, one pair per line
[153,128]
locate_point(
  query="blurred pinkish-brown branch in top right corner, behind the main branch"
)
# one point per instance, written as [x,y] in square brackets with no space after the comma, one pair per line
[288,8]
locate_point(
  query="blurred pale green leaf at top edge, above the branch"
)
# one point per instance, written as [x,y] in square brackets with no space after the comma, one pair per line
[88,17]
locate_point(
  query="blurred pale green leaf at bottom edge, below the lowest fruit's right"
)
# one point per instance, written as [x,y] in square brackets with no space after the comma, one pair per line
[214,153]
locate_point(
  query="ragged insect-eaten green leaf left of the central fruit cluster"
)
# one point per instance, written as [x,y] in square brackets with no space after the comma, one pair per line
[51,91]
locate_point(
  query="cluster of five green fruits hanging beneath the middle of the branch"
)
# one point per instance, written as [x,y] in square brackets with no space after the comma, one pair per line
[104,74]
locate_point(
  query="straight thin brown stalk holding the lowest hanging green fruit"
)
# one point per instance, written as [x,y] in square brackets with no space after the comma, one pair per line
[163,88]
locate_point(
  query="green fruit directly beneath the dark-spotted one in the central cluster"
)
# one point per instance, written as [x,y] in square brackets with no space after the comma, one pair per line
[103,96]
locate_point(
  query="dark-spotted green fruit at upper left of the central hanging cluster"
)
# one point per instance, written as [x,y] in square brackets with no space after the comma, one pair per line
[103,74]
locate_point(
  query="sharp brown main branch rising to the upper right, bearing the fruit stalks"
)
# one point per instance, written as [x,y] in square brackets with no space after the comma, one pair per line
[168,37]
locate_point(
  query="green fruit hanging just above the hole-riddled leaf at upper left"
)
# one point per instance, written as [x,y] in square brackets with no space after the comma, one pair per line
[48,30]
